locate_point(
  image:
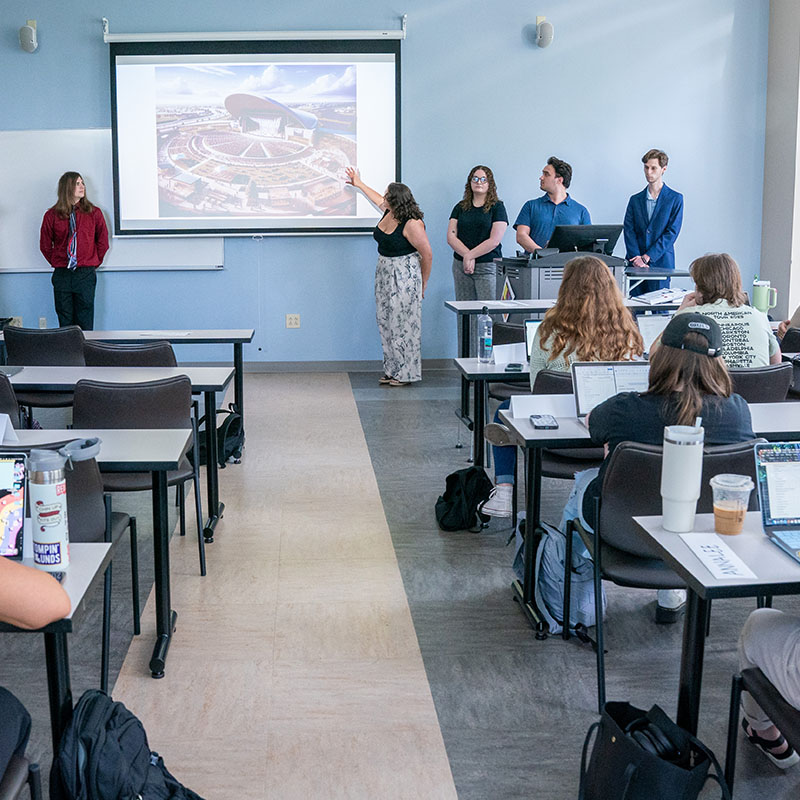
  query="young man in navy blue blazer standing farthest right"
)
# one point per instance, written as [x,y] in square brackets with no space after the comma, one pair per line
[653,221]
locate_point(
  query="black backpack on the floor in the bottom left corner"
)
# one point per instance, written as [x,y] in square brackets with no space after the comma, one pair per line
[104,753]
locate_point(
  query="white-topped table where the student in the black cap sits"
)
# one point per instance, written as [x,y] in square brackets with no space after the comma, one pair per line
[773,421]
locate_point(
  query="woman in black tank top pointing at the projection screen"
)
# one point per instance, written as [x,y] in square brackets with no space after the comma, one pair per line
[404,266]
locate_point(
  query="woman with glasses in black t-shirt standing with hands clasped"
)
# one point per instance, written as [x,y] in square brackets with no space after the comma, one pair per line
[476,228]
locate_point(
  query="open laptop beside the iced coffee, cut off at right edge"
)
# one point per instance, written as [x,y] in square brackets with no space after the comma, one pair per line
[778,476]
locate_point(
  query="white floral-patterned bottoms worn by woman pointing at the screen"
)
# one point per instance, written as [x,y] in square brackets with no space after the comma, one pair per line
[398,305]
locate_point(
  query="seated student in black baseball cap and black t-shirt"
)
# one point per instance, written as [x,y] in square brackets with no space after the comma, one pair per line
[687,380]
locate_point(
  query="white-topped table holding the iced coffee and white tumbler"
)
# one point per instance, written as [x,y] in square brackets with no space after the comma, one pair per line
[776,573]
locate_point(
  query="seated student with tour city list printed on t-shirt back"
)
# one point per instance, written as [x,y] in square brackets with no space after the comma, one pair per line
[748,340]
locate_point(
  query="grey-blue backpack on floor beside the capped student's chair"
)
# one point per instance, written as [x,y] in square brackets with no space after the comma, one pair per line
[549,578]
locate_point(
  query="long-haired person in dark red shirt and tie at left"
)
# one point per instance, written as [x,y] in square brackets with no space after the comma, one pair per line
[74,240]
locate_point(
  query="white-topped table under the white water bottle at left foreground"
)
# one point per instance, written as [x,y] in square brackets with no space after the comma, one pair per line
[87,562]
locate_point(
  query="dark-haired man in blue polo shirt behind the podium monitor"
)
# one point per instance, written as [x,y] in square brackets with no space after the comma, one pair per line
[538,218]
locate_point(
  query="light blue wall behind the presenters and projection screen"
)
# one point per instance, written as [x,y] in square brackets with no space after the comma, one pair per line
[620,77]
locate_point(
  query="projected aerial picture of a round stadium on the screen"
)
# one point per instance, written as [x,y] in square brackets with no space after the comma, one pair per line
[255,140]
